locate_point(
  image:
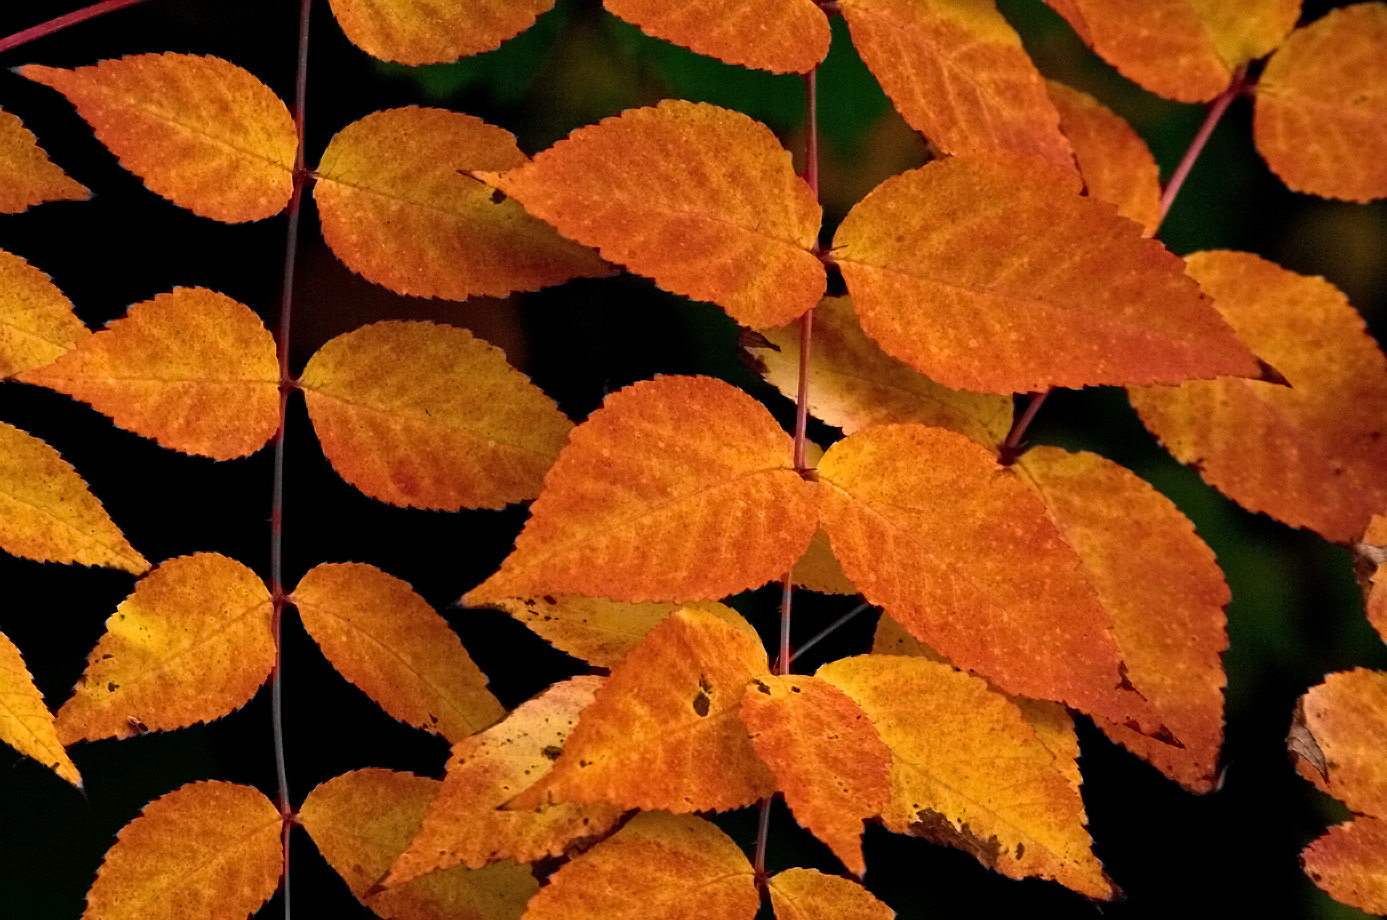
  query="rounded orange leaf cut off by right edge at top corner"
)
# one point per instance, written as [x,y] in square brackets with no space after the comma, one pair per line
[1321,116]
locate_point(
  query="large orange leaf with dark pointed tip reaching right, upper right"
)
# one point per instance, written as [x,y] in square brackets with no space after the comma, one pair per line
[995,275]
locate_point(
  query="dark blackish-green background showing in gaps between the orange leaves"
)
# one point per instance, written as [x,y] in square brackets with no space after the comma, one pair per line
[1296,613]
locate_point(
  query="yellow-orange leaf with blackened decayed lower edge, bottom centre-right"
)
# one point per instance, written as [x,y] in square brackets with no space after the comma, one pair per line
[969,772]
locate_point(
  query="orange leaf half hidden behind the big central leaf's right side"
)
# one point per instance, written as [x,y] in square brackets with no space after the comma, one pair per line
[1169,620]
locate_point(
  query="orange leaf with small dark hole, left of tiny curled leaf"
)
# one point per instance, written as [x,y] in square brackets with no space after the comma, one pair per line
[665,732]
